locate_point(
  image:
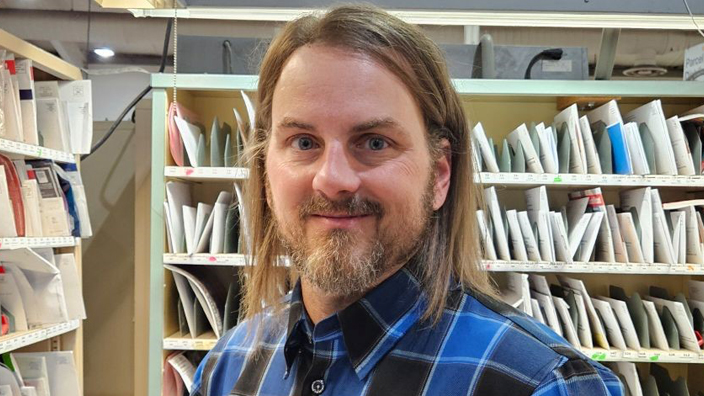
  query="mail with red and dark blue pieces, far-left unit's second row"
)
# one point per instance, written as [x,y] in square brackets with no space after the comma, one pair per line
[42,198]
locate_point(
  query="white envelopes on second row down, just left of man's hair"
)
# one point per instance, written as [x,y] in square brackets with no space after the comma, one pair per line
[202,228]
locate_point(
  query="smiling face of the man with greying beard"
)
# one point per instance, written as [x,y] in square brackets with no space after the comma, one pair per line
[350,178]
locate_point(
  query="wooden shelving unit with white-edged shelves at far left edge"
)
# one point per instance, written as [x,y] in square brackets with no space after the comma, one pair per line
[65,336]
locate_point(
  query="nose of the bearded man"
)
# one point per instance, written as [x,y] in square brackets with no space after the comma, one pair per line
[336,177]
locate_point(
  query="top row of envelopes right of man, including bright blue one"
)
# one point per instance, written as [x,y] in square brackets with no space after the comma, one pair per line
[600,142]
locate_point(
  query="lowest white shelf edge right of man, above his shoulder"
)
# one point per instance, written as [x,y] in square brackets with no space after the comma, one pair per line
[646,355]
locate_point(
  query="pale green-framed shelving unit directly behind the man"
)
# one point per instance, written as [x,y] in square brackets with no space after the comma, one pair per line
[500,105]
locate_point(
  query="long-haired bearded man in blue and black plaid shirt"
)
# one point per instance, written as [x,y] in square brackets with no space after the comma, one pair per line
[361,173]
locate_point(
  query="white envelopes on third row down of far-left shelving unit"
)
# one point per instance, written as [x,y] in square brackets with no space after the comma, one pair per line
[38,288]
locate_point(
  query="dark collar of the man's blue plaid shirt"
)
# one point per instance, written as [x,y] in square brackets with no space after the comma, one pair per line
[370,327]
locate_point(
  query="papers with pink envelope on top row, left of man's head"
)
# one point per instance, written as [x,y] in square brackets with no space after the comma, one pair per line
[223,147]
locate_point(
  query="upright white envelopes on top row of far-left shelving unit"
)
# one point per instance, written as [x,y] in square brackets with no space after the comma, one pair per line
[53,114]
